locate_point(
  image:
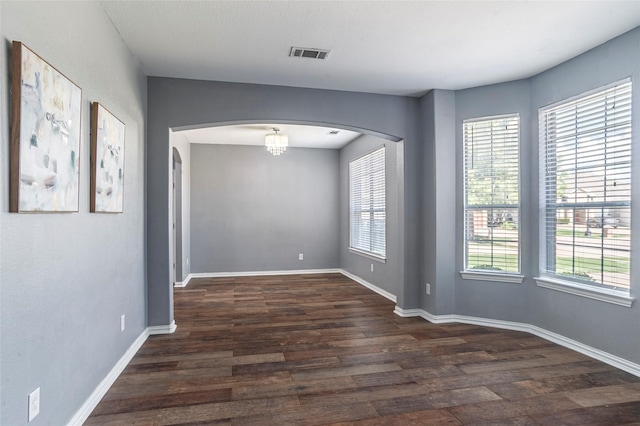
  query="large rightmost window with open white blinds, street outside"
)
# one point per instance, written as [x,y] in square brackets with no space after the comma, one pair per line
[585,148]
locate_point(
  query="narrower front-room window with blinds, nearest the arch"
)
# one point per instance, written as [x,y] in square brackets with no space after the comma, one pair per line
[491,194]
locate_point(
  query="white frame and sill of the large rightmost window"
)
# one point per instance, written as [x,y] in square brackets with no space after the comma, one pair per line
[553,279]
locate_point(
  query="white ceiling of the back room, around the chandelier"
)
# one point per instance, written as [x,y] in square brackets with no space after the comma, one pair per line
[300,136]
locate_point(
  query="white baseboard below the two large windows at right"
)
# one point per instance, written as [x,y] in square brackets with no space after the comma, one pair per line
[607,358]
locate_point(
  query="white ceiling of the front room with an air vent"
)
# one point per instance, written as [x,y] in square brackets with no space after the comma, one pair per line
[387,47]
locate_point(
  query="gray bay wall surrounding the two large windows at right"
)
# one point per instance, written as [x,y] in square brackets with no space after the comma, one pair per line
[608,327]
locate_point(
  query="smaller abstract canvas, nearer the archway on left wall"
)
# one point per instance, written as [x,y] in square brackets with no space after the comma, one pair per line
[107,161]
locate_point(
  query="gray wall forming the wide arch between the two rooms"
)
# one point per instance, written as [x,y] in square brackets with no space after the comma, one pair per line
[178,104]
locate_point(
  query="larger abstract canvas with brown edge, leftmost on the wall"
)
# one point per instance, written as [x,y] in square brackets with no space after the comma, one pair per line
[45,136]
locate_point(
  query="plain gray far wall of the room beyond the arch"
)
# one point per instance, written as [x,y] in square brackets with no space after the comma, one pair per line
[252,211]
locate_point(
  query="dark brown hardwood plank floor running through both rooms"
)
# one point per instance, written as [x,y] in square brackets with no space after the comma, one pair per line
[321,349]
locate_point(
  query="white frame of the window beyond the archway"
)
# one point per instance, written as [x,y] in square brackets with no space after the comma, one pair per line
[360,250]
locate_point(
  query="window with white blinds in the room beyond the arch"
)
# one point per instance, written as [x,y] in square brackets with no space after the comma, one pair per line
[367,204]
